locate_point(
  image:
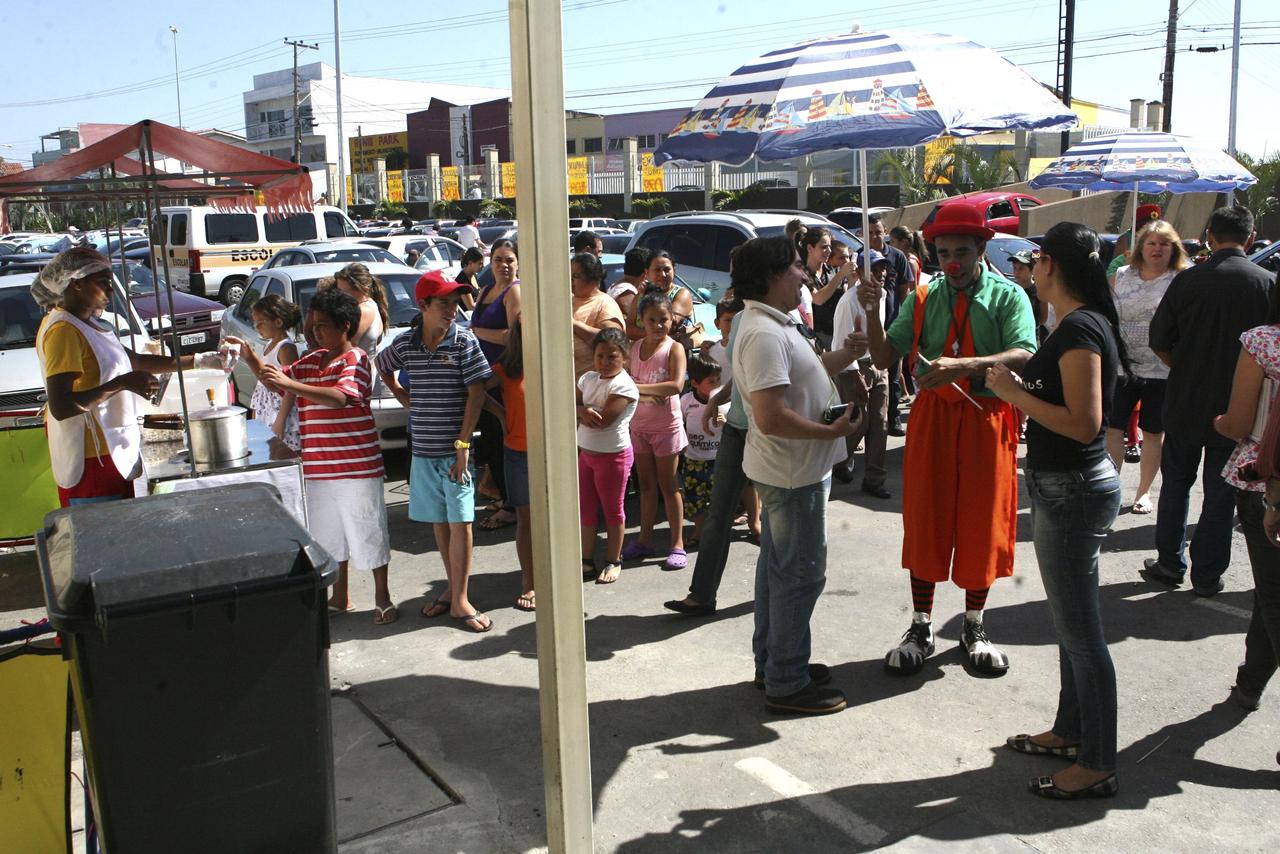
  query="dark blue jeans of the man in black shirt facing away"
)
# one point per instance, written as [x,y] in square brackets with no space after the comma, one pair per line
[1212,545]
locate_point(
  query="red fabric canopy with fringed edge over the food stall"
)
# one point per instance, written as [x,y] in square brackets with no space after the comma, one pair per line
[285,188]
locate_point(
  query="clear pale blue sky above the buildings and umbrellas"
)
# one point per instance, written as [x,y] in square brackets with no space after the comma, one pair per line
[113,61]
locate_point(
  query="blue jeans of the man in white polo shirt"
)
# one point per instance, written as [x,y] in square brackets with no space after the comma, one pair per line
[790,574]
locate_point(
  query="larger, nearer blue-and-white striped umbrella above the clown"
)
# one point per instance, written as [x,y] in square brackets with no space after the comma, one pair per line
[863,90]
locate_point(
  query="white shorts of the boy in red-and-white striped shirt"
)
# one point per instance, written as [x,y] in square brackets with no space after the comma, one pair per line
[349,519]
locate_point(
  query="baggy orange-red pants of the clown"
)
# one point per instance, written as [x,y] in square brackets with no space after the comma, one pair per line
[961,491]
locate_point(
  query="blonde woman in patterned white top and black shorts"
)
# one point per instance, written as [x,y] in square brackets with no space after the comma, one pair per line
[1158,258]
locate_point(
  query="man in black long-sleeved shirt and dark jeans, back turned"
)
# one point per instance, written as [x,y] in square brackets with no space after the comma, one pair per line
[1196,331]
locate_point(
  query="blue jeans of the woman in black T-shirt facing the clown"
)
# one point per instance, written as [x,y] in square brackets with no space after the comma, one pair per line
[1072,513]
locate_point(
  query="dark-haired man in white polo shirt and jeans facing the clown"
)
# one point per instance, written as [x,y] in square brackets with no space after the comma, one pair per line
[790,450]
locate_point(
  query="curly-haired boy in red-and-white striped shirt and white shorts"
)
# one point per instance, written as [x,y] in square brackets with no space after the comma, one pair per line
[342,463]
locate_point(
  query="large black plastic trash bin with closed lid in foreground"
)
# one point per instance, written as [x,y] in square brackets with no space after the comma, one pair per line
[198,634]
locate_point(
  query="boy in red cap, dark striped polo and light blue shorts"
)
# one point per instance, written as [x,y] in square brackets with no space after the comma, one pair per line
[447,375]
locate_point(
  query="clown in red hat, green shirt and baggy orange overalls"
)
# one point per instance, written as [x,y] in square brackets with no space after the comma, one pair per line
[959,473]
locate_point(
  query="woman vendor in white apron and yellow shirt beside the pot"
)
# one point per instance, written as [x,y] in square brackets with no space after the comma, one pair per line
[90,381]
